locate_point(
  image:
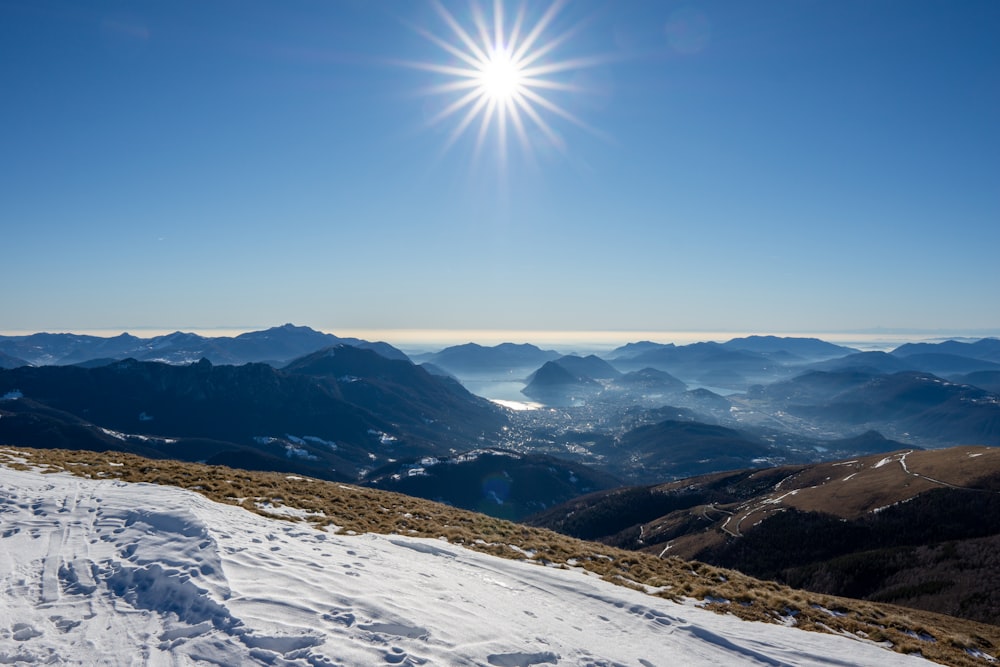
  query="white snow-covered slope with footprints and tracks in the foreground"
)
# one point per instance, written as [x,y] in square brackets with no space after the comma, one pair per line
[110,573]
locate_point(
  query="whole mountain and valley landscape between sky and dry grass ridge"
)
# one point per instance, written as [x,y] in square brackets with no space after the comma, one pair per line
[814,465]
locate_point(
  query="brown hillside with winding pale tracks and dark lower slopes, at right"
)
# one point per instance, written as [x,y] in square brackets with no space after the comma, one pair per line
[877,527]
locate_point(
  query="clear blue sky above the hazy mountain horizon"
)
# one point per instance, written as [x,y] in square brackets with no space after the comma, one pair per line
[773,166]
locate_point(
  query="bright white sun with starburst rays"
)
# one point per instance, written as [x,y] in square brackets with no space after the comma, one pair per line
[500,78]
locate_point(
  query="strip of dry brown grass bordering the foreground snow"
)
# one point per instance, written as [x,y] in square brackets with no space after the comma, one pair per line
[359,510]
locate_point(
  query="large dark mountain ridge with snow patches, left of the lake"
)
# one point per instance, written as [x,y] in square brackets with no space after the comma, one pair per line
[333,414]
